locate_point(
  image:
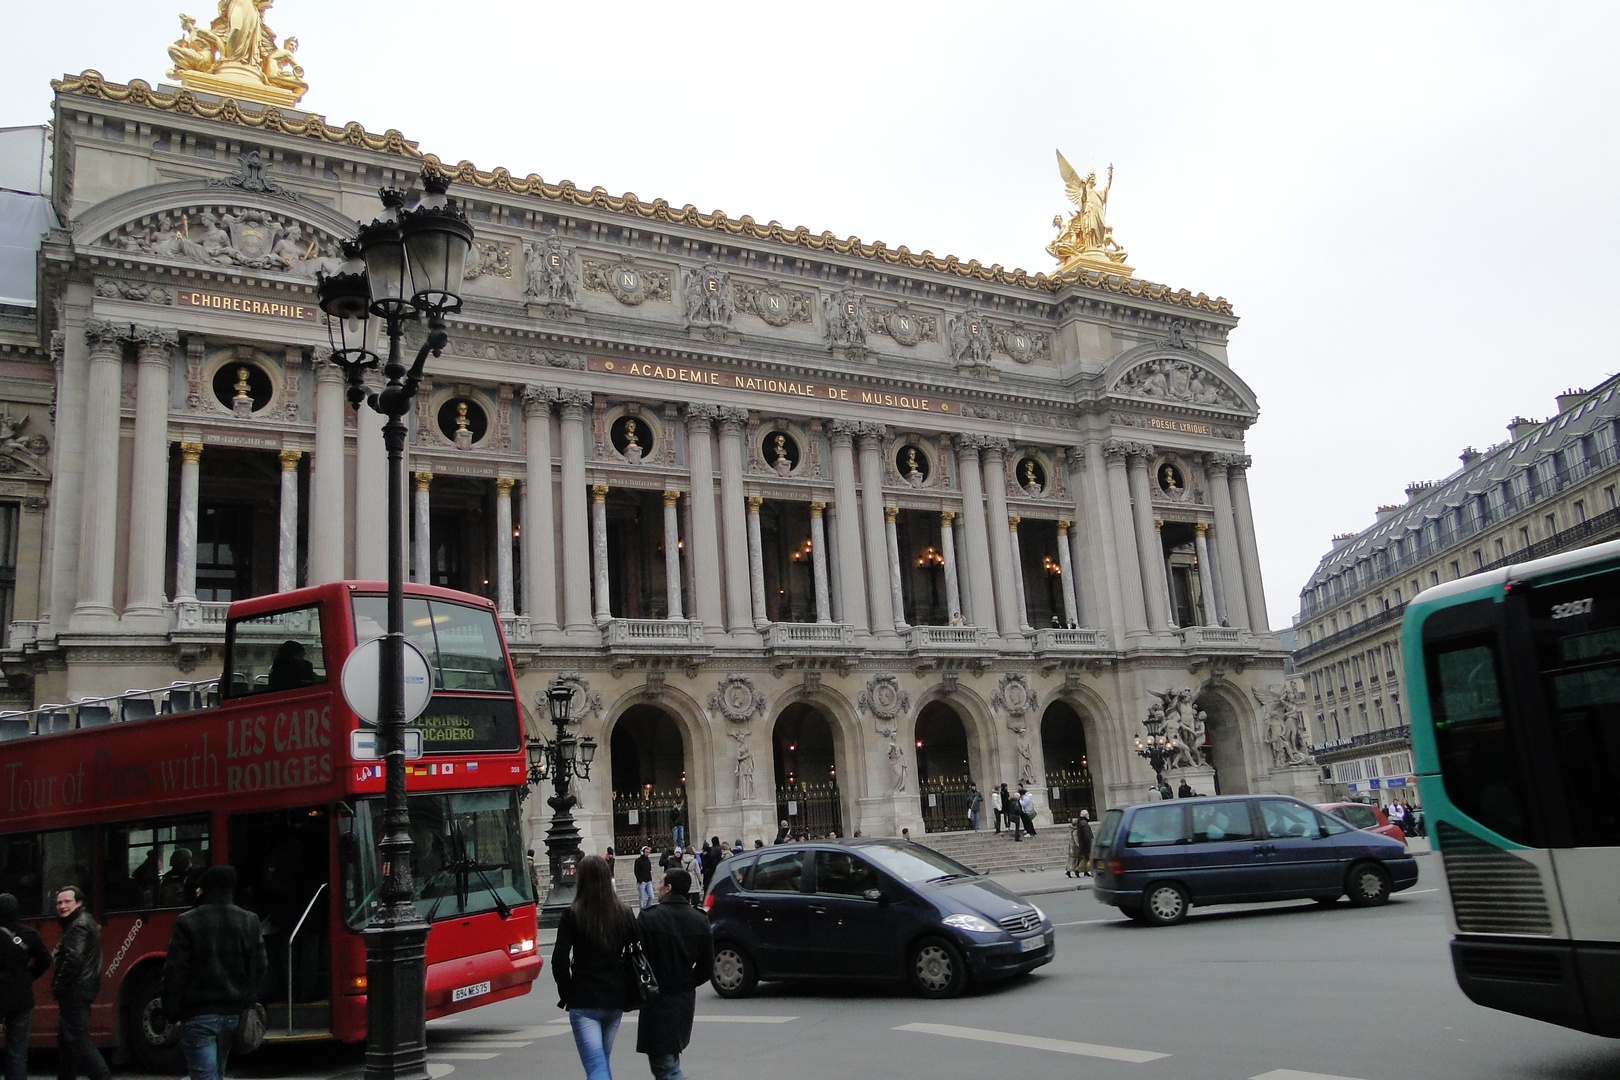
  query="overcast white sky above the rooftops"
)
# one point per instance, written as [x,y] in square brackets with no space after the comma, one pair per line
[1410,205]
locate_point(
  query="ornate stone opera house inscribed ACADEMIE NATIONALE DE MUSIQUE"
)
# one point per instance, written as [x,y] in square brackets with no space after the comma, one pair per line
[819,527]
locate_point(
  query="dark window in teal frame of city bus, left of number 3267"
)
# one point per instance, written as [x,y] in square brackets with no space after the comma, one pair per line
[1478,757]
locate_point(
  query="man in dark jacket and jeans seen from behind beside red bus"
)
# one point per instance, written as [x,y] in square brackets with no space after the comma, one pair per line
[213,972]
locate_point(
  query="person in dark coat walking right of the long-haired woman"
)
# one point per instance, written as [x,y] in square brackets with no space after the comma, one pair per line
[681,950]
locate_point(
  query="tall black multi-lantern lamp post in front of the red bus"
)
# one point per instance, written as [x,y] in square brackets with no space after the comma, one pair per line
[407,263]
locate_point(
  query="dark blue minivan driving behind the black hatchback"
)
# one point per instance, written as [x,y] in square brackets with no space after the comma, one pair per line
[1156,861]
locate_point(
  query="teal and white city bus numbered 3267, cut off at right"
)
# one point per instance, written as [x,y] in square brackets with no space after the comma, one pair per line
[1514,684]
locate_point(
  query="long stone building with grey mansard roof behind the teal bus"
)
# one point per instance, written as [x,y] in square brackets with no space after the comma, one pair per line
[1548,488]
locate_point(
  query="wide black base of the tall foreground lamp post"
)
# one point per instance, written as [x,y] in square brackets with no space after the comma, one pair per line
[396,1001]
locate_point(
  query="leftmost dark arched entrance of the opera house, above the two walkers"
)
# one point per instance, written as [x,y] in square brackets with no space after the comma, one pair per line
[649,775]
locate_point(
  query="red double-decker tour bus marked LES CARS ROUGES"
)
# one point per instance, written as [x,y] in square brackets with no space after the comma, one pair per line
[132,797]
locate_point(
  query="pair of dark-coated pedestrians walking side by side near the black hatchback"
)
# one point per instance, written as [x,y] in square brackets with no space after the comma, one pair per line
[597,982]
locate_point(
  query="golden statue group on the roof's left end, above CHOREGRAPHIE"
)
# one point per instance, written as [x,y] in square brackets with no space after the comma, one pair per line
[237,57]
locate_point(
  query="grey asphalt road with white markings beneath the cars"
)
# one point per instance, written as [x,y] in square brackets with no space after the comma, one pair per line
[1287,992]
